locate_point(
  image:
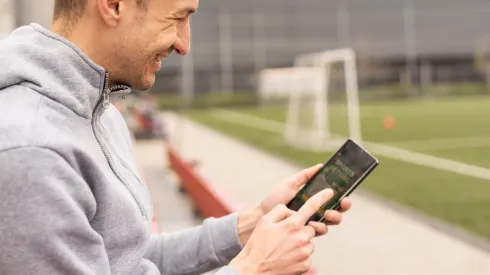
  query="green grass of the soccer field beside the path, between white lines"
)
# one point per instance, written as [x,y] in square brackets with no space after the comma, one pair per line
[452,128]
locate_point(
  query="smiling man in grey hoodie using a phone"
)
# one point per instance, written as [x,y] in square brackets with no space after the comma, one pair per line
[71,199]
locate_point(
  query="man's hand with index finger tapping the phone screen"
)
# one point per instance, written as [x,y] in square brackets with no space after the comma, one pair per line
[281,243]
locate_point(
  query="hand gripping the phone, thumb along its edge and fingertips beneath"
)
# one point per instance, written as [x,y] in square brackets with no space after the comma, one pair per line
[287,190]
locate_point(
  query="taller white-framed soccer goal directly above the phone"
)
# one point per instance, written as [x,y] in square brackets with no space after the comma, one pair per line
[310,110]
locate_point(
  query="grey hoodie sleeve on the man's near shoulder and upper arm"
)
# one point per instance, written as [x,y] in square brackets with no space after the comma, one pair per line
[44,210]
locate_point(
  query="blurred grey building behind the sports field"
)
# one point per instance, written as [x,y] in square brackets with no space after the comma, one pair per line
[437,40]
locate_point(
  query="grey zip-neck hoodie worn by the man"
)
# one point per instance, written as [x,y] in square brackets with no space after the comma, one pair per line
[71,198]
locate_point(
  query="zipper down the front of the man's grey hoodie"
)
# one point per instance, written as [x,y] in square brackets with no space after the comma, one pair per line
[104,103]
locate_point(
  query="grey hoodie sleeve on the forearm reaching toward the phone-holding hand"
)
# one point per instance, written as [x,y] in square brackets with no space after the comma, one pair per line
[197,250]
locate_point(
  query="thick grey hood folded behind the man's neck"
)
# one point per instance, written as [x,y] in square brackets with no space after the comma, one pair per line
[48,63]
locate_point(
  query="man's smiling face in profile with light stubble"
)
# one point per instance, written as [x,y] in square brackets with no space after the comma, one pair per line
[146,36]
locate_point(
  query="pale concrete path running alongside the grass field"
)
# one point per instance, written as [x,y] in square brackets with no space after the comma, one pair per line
[373,240]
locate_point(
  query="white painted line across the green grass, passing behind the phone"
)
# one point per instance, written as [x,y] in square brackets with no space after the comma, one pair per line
[377,149]
